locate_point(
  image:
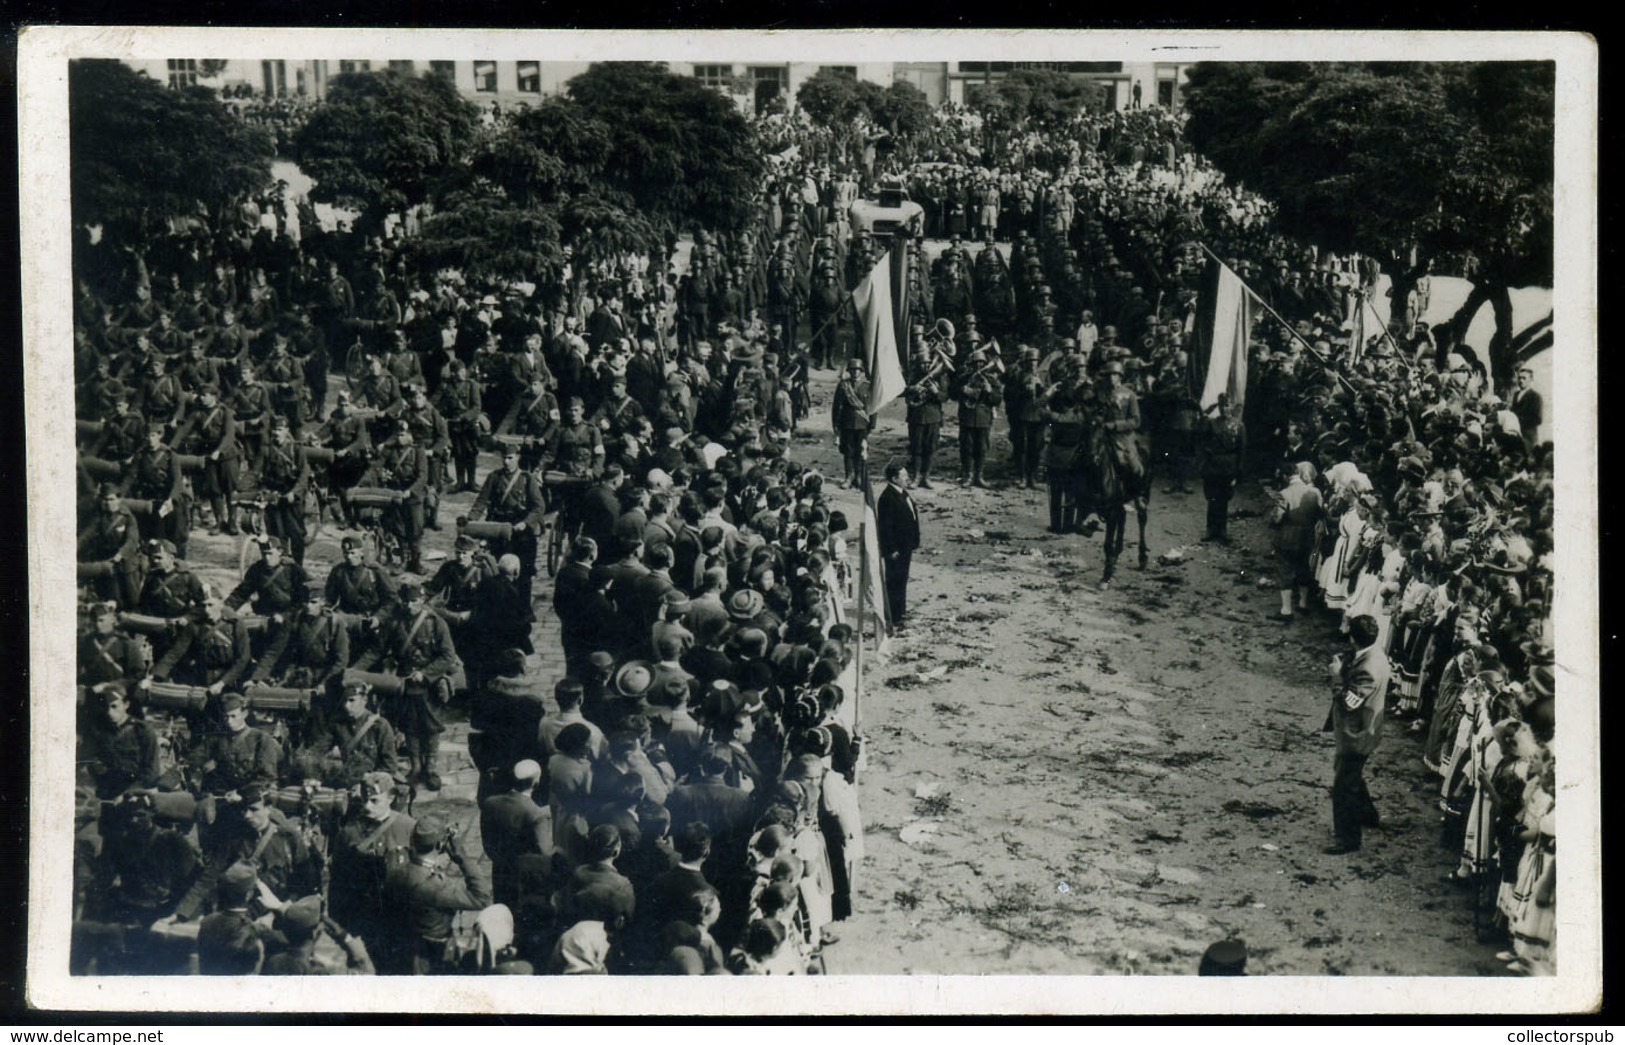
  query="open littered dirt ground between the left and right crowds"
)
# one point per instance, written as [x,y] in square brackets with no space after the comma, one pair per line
[1068,781]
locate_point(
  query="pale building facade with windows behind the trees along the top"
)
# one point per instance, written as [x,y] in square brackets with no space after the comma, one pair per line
[753,85]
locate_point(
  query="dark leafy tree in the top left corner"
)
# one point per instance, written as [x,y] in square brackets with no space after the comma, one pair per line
[144,155]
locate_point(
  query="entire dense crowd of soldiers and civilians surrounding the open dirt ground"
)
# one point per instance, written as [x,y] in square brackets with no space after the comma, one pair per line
[683,800]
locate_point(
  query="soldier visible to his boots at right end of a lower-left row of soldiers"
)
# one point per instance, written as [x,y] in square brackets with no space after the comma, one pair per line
[417,646]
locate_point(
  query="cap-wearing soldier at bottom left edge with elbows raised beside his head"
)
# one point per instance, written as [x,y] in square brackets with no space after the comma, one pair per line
[427,893]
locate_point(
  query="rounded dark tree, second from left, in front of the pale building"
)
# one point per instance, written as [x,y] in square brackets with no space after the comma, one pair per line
[386,142]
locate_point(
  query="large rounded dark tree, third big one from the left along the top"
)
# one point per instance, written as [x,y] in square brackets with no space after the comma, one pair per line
[678,150]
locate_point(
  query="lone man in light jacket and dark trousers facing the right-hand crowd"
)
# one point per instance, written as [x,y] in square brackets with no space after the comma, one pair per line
[1359,696]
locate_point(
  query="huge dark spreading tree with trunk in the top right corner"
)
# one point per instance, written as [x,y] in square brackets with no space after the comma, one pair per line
[1408,163]
